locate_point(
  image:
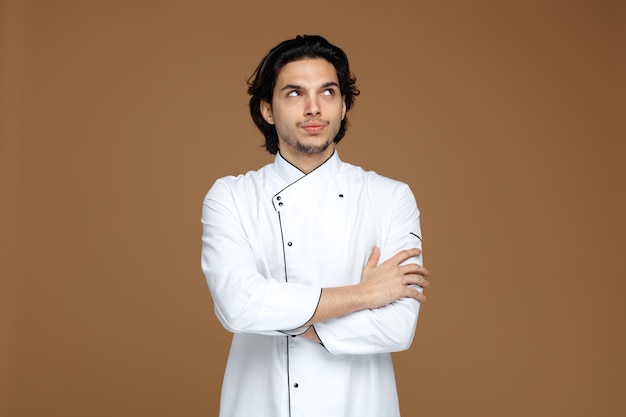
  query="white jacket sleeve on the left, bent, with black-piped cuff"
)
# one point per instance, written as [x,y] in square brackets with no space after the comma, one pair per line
[245,300]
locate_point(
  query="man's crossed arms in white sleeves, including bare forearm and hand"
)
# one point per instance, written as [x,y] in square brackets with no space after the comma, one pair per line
[377,314]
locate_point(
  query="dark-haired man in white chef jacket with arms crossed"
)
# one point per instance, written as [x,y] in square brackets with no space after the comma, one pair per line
[292,252]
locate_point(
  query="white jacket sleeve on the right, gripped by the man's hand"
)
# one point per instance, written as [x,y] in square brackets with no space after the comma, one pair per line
[390,328]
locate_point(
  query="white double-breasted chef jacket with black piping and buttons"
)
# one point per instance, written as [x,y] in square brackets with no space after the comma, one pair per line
[272,239]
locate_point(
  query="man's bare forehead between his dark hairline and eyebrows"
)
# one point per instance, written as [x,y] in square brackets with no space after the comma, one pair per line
[309,72]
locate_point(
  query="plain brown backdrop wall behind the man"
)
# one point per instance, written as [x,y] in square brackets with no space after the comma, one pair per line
[505,117]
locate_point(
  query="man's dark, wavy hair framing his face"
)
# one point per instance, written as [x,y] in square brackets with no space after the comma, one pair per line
[262,82]
